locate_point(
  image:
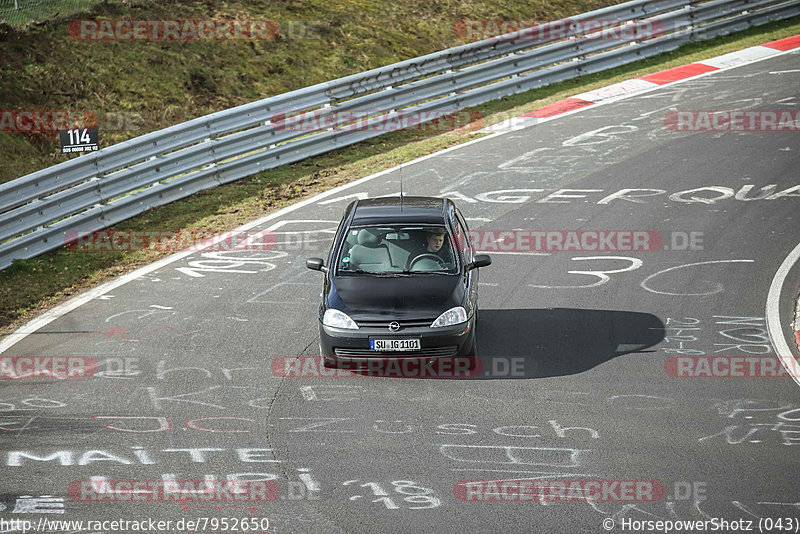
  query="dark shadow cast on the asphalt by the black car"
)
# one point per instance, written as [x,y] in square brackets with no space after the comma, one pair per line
[542,343]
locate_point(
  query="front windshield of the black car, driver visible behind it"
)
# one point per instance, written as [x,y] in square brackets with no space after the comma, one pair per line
[397,250]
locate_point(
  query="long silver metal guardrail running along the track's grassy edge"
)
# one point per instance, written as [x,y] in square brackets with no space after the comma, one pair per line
[97,190]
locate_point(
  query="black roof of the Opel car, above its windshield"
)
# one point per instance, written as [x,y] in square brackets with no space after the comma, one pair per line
[409,210]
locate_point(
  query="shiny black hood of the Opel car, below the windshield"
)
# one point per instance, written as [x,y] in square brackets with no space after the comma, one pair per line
[395,298]
